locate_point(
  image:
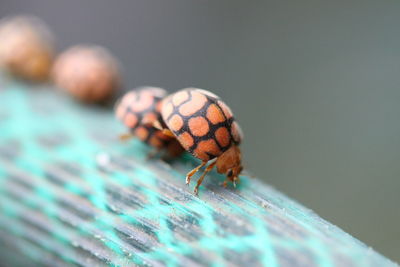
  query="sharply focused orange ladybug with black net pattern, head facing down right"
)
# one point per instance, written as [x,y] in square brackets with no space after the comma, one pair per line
[204,125]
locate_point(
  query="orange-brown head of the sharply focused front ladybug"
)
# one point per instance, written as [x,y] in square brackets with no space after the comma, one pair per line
[230,163]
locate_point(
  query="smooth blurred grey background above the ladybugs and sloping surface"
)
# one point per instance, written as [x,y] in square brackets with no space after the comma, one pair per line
[315,86]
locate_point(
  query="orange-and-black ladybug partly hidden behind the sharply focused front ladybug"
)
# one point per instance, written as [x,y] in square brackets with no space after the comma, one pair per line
[138,110]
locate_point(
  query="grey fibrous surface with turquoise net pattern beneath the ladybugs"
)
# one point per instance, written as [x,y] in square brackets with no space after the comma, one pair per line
[72,194]
